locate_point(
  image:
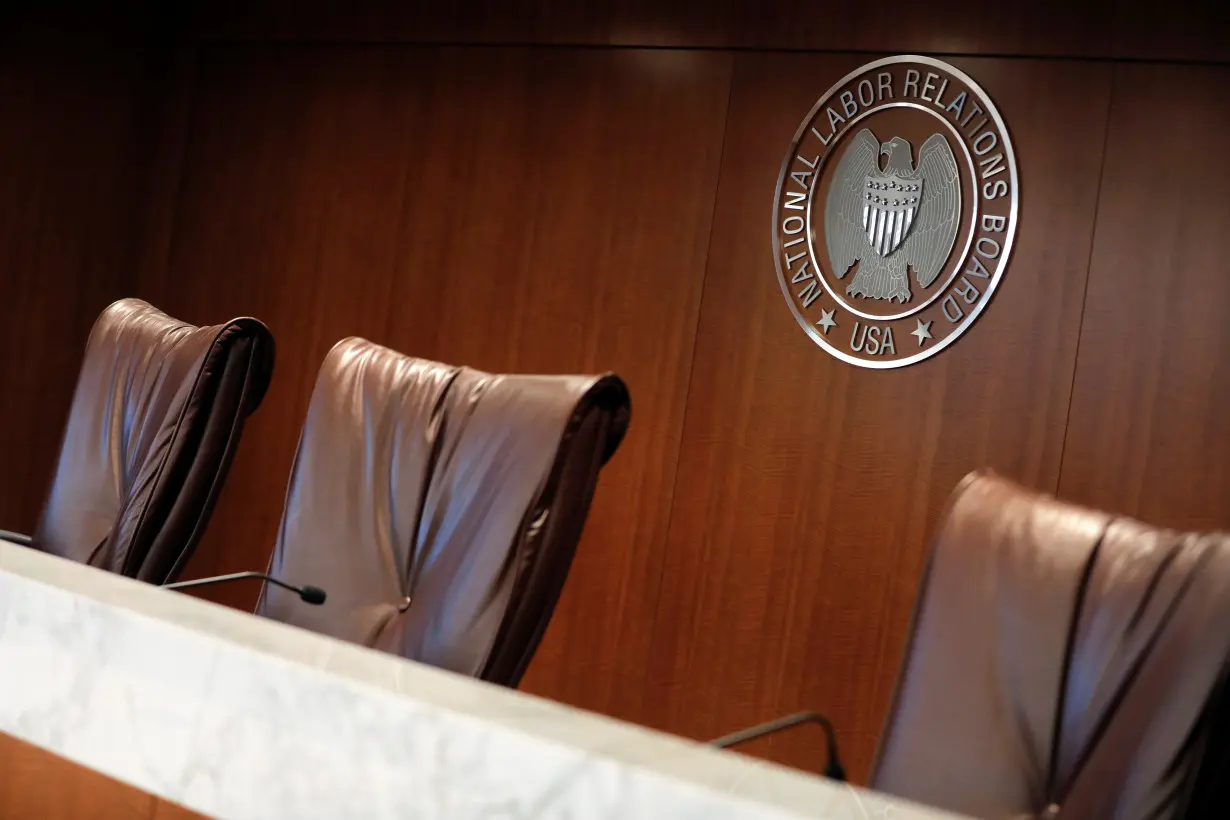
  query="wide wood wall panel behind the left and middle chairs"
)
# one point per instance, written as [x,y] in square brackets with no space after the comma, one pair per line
[509,210]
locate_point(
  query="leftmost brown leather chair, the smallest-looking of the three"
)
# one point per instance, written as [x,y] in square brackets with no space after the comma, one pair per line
[156,420]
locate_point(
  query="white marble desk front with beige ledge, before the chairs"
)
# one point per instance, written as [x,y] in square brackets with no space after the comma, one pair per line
[239,717]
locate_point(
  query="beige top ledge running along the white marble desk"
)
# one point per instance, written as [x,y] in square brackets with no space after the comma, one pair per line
[657,755]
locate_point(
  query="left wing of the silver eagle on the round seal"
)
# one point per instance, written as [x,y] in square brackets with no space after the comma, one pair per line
[844,231]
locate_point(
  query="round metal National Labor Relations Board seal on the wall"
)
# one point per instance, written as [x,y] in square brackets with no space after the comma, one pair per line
[895,213]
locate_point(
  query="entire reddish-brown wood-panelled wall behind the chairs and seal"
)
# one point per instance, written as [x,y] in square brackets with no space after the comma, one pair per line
[756,545]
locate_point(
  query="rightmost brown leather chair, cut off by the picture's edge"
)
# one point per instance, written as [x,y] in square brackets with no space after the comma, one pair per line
[1066,664]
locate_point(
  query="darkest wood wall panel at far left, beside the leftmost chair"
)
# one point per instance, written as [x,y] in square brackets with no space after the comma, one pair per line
[69,159]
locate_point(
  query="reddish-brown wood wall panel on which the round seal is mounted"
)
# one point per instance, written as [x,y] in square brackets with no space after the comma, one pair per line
[807,489]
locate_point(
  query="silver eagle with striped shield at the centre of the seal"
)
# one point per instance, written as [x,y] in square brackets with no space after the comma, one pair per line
[887,221]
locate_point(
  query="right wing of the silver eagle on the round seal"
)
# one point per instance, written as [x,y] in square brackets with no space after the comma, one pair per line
[935,229]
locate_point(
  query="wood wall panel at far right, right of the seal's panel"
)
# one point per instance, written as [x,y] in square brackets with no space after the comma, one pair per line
[1149,433]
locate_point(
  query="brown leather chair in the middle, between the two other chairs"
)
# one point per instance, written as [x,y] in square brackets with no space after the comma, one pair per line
[441,507]
